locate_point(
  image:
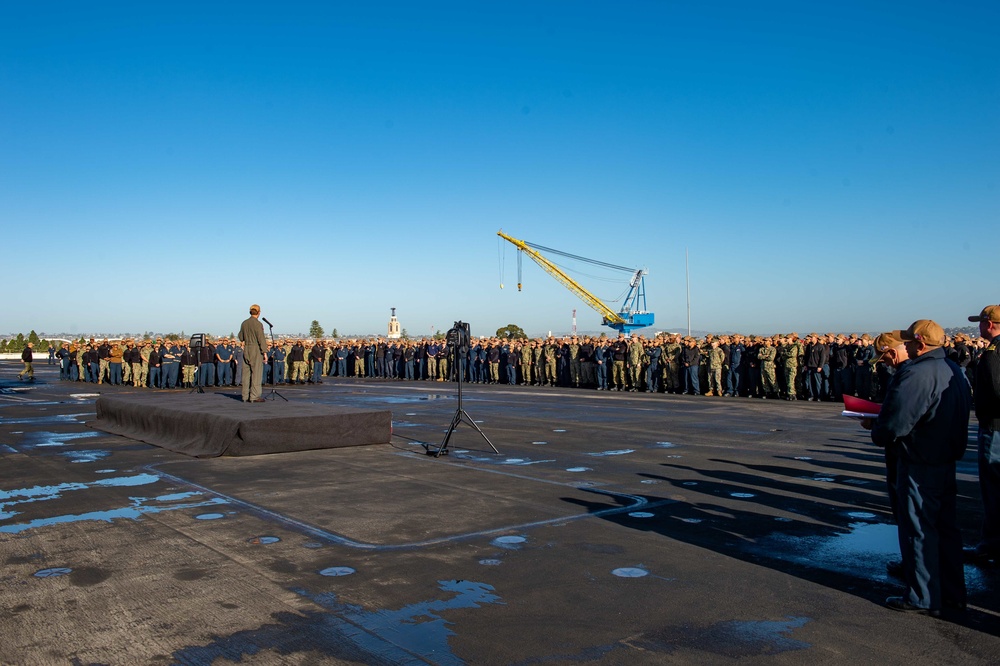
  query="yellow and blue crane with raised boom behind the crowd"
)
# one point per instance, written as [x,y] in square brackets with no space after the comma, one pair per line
[631,316]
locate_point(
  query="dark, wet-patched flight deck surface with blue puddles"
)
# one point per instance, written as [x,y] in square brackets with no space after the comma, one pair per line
[613,528]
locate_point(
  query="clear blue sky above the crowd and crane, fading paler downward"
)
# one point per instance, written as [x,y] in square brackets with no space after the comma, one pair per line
[828,165]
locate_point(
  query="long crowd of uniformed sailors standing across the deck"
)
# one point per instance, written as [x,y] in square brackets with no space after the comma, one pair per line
[787,366]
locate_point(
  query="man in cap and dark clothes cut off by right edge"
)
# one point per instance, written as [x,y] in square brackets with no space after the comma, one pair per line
[987,394]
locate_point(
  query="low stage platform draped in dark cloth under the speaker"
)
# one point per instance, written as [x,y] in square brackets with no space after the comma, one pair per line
[210,425]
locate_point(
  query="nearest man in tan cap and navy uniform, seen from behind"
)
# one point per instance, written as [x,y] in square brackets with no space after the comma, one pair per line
[926,415]
